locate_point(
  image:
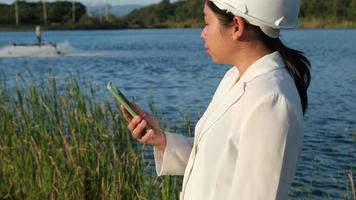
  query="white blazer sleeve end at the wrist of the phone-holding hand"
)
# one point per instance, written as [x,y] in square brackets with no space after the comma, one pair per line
[174,159]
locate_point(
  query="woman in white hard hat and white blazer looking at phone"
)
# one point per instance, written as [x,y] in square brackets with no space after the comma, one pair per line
[248,141]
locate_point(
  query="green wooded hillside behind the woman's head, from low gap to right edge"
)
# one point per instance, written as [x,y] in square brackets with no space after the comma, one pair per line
[189,13]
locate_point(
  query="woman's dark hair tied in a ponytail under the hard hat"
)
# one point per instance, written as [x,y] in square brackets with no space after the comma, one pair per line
[296,63]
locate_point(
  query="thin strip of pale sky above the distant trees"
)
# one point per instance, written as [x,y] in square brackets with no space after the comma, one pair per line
[98,2]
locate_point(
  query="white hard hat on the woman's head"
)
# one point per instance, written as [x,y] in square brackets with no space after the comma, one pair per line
[269,15]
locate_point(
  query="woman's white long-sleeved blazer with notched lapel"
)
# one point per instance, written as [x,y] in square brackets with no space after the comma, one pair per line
[248,141]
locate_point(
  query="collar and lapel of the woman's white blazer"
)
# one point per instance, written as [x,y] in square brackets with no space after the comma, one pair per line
[214,112]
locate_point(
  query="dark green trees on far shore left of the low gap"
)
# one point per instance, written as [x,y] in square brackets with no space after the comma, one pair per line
[54,15]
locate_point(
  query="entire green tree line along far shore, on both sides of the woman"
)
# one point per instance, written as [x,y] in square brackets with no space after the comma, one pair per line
[185,13]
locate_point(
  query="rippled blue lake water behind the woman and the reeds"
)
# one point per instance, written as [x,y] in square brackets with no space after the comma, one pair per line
[171,66]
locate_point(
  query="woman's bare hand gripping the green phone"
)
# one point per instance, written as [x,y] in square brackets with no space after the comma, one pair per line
[145,128]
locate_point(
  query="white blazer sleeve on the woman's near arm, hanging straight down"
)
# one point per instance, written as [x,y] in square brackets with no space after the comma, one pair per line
[269,146]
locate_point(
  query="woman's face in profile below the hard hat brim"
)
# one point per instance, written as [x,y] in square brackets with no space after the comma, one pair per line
[215,37]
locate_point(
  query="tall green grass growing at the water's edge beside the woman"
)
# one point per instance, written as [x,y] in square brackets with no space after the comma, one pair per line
[63,145]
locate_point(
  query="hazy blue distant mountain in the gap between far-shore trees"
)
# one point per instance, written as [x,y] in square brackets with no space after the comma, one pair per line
[117,11]
